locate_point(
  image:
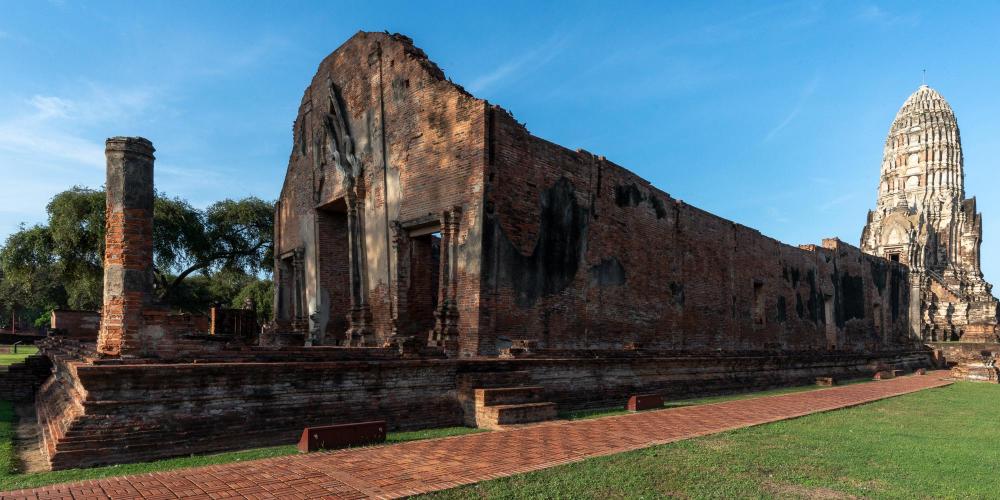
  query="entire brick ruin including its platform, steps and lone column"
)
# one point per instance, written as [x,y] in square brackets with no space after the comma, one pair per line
[438,265]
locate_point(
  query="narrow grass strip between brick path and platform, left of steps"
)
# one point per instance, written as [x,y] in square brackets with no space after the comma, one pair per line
[11,480]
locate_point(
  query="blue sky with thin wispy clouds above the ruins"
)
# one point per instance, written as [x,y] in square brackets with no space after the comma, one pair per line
[769,114]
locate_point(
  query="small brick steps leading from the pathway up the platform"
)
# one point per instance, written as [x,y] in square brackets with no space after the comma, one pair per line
[493,400]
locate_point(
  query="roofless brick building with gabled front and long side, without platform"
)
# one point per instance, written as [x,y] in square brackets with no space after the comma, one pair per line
[412,209]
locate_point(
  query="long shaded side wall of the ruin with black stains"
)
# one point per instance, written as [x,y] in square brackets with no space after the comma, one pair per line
[581,253]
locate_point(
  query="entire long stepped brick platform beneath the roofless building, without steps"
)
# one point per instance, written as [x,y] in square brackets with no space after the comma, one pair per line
[95,413]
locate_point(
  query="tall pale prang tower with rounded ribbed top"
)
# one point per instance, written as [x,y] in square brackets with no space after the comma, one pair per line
[923,220]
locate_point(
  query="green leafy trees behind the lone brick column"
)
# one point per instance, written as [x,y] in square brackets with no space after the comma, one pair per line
[201,257]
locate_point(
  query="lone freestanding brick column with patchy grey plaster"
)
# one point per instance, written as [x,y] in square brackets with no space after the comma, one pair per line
[128,240]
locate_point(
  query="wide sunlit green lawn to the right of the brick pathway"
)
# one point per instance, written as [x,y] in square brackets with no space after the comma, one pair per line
[938,443]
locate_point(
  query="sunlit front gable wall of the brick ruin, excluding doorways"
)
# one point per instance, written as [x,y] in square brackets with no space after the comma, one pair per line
[418,141]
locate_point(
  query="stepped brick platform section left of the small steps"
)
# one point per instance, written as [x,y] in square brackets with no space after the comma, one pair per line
[95,414]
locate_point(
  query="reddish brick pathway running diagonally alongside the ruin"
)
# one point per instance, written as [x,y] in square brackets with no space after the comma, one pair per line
[431,465]
